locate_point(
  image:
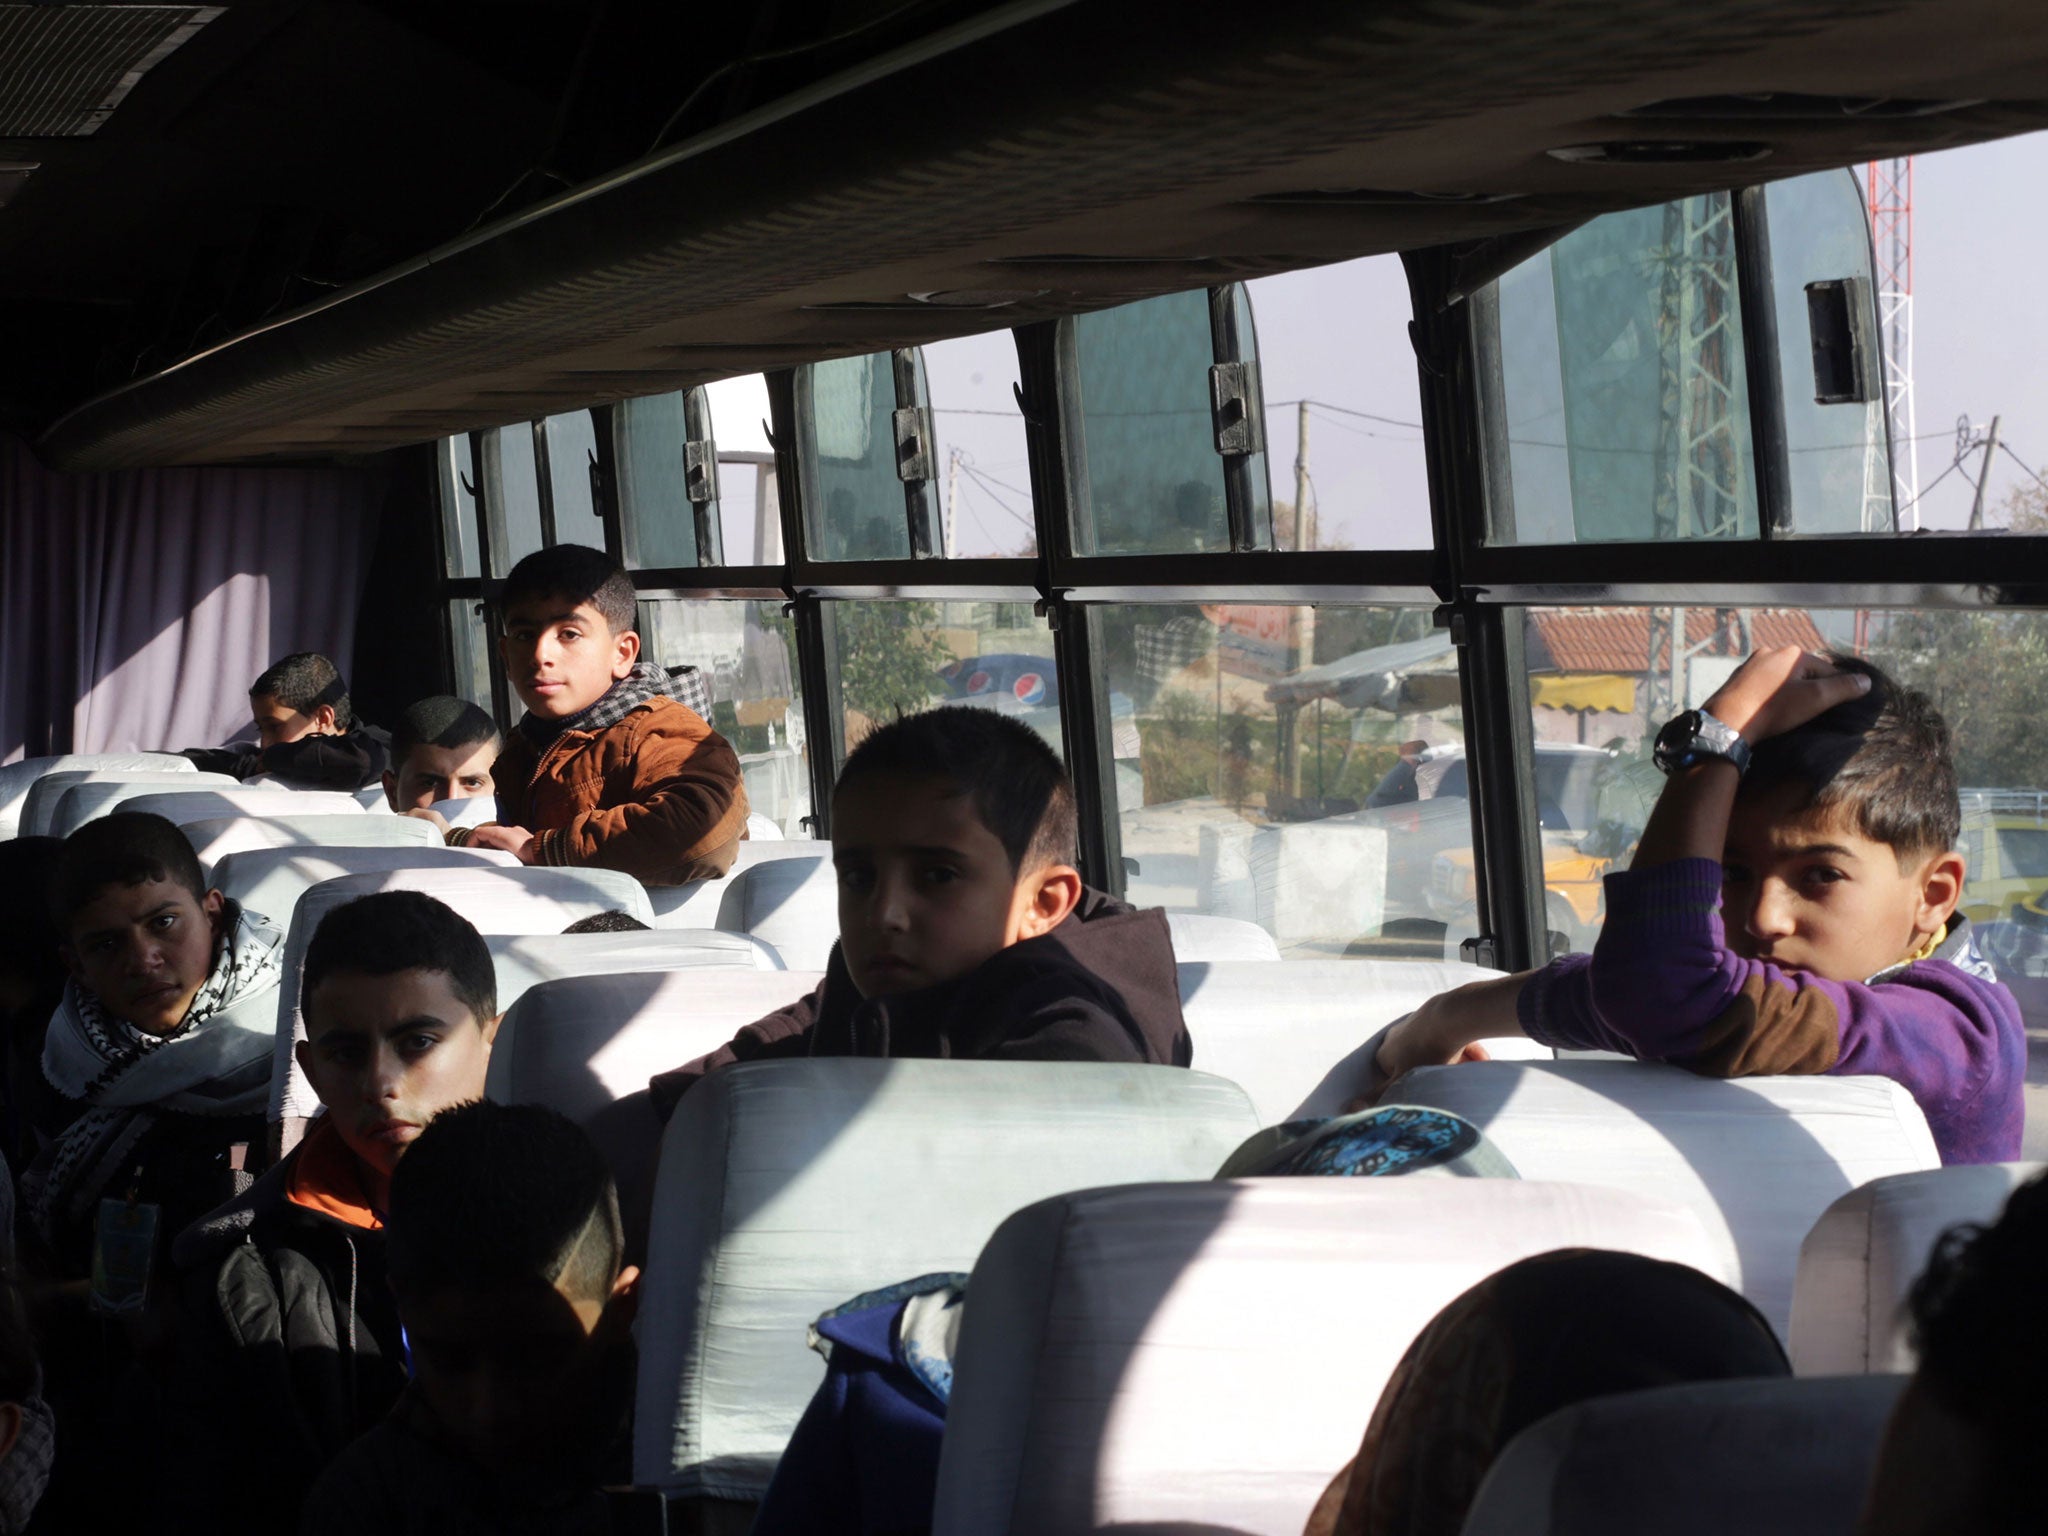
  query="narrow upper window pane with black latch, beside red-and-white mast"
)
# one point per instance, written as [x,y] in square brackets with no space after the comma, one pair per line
[1838,470]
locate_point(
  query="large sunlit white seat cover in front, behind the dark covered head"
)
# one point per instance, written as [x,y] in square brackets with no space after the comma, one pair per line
[1211,1353]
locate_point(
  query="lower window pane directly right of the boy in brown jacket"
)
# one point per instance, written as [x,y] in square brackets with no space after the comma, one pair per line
[746,654]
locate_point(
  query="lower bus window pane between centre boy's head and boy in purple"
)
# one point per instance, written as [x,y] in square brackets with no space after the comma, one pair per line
[1289,767]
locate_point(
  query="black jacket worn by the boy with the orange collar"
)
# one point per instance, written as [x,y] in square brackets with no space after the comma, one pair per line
[290,1351]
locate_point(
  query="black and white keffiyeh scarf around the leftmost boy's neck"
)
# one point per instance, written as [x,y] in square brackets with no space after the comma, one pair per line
[218,1062]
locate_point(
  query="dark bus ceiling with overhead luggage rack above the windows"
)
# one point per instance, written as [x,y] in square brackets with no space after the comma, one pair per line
[329,228]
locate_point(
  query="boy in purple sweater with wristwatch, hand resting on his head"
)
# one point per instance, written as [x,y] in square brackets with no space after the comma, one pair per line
[1791,910]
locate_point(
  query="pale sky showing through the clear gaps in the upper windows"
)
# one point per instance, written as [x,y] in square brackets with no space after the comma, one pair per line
[1336,339]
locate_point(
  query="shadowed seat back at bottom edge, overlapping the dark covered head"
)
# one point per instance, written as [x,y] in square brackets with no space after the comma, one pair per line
[1770,1457]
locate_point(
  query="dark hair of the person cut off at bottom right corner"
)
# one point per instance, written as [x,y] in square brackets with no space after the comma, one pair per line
[1983,1349]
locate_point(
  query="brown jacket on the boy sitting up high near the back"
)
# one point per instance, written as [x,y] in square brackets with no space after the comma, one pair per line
[656,796]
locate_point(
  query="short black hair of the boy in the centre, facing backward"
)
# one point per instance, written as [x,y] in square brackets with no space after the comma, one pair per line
[1017,783]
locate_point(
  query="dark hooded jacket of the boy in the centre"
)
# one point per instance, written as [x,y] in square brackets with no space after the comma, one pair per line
[1099,988]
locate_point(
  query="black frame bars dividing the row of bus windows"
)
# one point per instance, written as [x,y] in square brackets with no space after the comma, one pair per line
[1471,587]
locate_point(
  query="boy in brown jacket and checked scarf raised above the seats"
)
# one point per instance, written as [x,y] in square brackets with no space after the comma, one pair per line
[611,765]
